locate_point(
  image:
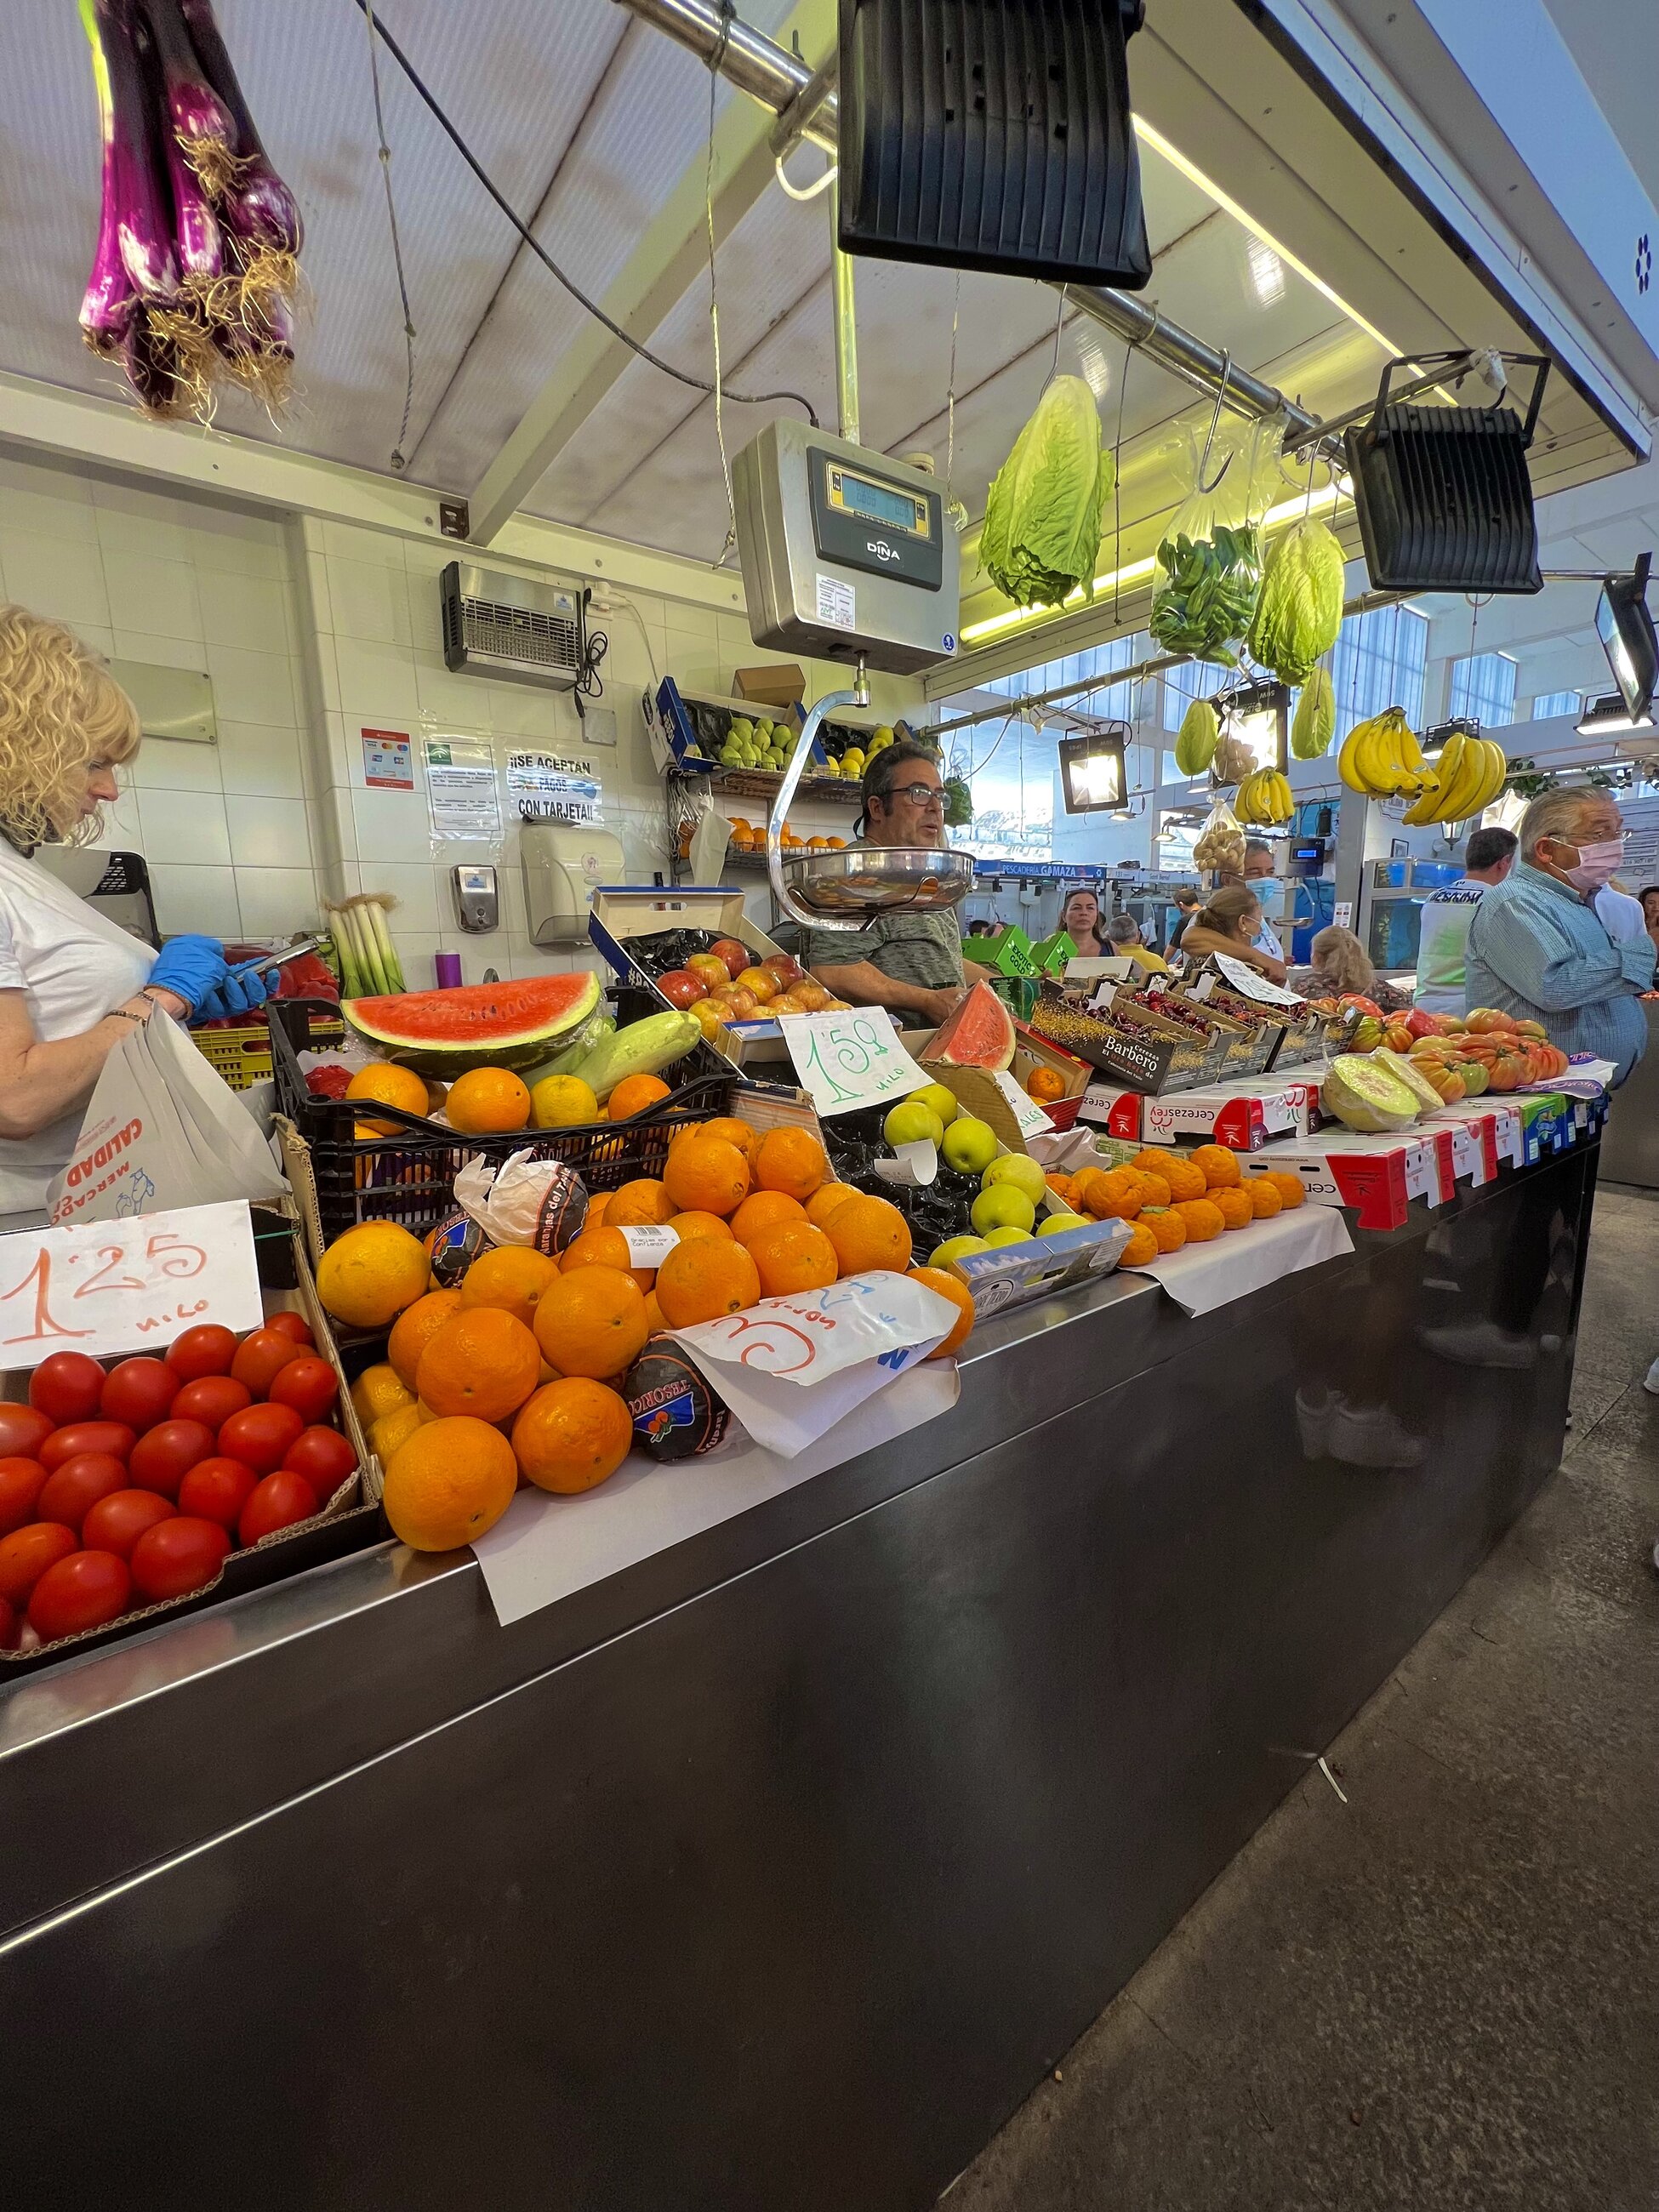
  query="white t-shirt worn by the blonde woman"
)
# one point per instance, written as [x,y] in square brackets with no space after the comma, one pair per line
[72,968]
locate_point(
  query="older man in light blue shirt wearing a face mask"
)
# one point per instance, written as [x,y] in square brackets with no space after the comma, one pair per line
[1536,946]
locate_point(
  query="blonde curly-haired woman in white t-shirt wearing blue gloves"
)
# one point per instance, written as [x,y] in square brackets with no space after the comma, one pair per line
[72,983]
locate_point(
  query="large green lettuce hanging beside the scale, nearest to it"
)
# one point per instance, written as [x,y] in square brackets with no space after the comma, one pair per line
[1041,534]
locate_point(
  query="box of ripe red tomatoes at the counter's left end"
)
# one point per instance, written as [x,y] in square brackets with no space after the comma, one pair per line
[147,1488]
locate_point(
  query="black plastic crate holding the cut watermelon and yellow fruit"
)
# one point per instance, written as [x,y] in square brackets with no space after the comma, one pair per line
[413,1178]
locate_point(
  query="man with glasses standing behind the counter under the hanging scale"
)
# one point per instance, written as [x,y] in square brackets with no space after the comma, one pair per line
[910,963]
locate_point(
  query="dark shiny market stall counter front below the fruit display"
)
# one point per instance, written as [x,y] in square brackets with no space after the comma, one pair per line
[773,1872]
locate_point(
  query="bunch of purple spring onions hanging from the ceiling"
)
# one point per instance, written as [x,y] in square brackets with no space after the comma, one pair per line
[198,247]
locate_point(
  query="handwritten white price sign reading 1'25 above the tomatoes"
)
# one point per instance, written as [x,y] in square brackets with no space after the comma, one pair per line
[127,1286]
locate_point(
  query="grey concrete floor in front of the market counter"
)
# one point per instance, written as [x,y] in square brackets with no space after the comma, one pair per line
[1443,1994]
